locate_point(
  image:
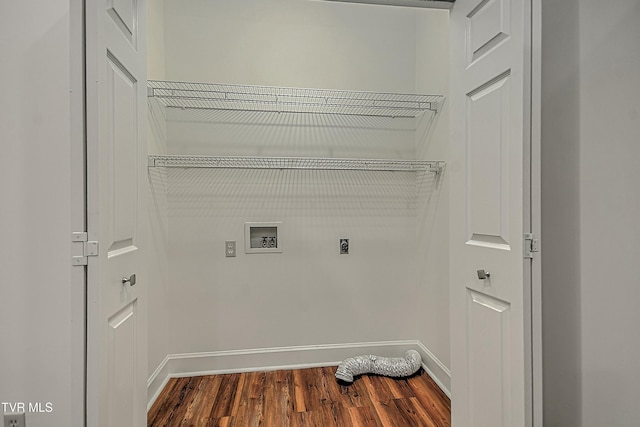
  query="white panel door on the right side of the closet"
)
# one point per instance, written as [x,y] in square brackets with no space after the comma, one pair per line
[490,89]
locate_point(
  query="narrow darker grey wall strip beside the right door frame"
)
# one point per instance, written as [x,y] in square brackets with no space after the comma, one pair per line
[561,254]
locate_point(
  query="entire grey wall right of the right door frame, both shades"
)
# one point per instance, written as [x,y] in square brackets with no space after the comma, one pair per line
[591,168]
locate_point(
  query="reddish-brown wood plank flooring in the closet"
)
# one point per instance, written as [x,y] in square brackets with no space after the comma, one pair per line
[300,398]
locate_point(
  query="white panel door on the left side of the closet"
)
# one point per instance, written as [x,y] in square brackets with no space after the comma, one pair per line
[116,170]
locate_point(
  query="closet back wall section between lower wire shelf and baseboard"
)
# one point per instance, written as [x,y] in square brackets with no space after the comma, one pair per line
[307,295]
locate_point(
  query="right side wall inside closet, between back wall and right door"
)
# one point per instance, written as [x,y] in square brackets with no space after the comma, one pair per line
[432,233]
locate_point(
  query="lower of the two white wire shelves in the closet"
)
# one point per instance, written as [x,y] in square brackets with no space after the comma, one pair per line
[244,162]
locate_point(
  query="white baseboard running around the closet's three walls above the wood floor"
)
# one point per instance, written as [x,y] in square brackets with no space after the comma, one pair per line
[298,357]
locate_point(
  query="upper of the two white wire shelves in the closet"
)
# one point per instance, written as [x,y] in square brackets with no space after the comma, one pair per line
[211,96]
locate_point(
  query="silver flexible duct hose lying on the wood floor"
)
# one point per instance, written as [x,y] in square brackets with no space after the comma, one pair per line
[388,366]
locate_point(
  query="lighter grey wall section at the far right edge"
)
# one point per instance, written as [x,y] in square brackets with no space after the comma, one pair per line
[609,211]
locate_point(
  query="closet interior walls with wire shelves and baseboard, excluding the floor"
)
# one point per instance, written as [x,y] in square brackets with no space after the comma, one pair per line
[281,129]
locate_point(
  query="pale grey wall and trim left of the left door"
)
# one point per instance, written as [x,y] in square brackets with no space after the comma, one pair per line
[41,294]
